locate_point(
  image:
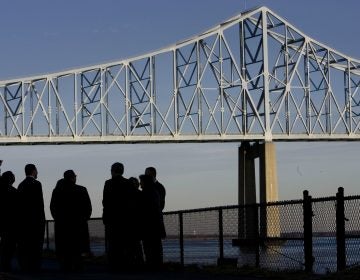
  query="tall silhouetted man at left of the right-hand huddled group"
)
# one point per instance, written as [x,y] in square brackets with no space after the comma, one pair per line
[120,219]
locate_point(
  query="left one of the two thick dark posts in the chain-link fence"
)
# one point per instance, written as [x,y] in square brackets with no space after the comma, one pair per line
[308,249]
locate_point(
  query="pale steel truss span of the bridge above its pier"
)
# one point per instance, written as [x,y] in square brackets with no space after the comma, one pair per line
[253,77]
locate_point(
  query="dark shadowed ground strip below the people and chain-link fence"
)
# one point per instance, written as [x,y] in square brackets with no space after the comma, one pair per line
[98,271]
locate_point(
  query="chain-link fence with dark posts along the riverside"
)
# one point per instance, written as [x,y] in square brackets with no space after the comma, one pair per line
[313,234]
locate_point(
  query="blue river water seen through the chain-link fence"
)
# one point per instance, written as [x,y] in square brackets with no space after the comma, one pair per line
[288,255]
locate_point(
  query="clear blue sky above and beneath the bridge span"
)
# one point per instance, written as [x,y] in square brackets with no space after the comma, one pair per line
[42,36]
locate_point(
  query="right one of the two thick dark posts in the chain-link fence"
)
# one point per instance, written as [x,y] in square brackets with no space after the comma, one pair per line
[340,230]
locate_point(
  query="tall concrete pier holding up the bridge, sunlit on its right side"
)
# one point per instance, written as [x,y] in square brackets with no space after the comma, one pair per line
[268,191]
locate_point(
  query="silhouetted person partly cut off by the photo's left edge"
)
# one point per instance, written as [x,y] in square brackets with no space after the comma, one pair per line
[8,220]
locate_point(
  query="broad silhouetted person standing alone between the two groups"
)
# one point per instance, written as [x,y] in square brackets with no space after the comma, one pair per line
[71,209]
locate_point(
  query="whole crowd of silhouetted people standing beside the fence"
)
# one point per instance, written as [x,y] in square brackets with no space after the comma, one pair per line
[132,216]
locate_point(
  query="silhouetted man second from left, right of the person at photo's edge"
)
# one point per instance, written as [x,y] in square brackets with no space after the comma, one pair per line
[32,221]
